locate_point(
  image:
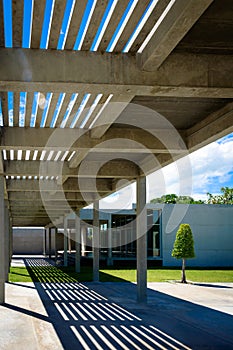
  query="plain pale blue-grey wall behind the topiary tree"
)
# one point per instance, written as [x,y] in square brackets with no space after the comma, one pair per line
[212,227]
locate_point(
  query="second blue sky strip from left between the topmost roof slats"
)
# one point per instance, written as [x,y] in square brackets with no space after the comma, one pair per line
[27,23]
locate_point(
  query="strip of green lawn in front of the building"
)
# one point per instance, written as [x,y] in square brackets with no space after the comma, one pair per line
[67,274]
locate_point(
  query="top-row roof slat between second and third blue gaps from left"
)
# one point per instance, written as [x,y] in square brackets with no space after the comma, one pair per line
[37,23]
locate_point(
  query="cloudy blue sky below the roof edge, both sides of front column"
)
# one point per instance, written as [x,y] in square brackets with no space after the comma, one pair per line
[212,168]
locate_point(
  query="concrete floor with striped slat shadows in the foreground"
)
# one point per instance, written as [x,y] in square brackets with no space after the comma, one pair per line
[106,316]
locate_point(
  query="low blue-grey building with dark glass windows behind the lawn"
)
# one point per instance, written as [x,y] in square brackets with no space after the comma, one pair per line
[212,227]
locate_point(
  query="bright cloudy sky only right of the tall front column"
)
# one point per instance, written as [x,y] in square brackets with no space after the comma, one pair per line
[211,168]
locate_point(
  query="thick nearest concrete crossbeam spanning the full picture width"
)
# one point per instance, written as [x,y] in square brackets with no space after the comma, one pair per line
[196,74]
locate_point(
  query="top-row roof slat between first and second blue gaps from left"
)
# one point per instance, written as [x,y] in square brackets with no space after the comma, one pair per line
[17,14]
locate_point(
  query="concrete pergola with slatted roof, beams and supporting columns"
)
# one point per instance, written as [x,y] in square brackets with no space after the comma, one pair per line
[79,122]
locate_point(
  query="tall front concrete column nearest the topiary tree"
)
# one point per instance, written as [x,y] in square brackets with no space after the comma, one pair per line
[141,240]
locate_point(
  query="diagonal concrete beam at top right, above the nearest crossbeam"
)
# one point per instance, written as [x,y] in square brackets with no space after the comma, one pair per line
[175,21]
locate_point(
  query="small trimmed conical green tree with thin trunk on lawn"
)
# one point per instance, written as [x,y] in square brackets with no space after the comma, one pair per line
[183,247]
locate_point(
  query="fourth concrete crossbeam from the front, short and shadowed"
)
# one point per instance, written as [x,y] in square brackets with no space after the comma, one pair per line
[71,185]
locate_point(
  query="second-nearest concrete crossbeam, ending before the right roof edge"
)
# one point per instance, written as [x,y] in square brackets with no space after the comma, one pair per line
[145,141]
